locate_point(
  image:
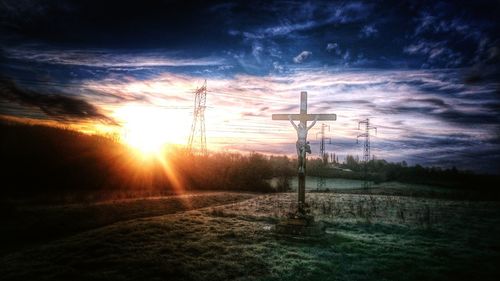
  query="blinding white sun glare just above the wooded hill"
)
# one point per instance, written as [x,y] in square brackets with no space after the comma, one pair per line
[148,129]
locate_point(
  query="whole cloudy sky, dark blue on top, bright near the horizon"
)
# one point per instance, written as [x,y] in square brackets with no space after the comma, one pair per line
[426,73]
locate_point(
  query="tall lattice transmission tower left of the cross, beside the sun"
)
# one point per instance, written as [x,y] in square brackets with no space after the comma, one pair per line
[198,125]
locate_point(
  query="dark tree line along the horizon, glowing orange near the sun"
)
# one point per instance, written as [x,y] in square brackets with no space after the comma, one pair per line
[45,160]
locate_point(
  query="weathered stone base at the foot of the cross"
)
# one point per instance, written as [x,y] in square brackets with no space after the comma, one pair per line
[300,226]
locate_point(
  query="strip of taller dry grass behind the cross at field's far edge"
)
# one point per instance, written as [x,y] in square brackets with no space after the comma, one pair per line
[334,207]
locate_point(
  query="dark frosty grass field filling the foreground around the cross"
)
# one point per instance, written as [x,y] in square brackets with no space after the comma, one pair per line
[220,236]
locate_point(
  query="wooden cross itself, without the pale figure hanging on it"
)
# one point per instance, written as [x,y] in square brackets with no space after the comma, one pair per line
[303,117]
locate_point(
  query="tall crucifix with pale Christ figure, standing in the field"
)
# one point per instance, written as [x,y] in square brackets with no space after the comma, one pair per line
[302,144]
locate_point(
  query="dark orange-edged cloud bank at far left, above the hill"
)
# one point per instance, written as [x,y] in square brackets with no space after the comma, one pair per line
[58,106]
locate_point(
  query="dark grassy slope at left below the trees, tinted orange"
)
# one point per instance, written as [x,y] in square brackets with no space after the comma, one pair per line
[26,225]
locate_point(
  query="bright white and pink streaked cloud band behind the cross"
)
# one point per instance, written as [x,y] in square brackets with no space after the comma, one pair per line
[403,104]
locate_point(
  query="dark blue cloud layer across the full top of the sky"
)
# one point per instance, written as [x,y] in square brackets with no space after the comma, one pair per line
[260,37]
